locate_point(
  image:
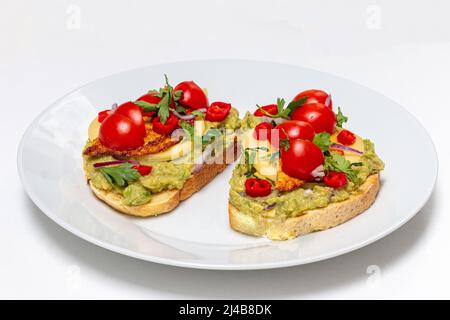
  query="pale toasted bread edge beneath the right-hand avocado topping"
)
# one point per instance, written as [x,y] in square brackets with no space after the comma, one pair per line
[311,220]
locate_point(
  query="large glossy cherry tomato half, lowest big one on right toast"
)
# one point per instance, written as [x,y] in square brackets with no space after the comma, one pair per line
[301,159]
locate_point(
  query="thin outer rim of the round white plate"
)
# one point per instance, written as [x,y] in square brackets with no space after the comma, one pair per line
[208,266]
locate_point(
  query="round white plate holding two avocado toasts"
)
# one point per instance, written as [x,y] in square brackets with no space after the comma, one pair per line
[197,233]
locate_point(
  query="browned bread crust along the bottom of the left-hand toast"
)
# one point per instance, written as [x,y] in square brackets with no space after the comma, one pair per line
[167,200]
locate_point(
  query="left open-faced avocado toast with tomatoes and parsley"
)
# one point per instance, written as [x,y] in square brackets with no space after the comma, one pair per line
[141,157]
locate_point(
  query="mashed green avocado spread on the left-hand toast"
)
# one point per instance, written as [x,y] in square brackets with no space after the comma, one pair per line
[165,175]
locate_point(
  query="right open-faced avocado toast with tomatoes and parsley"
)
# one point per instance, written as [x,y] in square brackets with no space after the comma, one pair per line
[300,171]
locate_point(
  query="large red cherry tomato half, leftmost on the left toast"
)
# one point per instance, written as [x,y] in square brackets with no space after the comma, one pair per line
[120,133]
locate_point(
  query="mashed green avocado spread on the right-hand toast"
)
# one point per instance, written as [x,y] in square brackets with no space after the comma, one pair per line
[311,196]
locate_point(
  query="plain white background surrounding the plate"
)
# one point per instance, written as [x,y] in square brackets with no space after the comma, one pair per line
[47,48]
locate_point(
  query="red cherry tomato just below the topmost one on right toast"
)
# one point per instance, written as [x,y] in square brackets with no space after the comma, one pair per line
[320,117]
